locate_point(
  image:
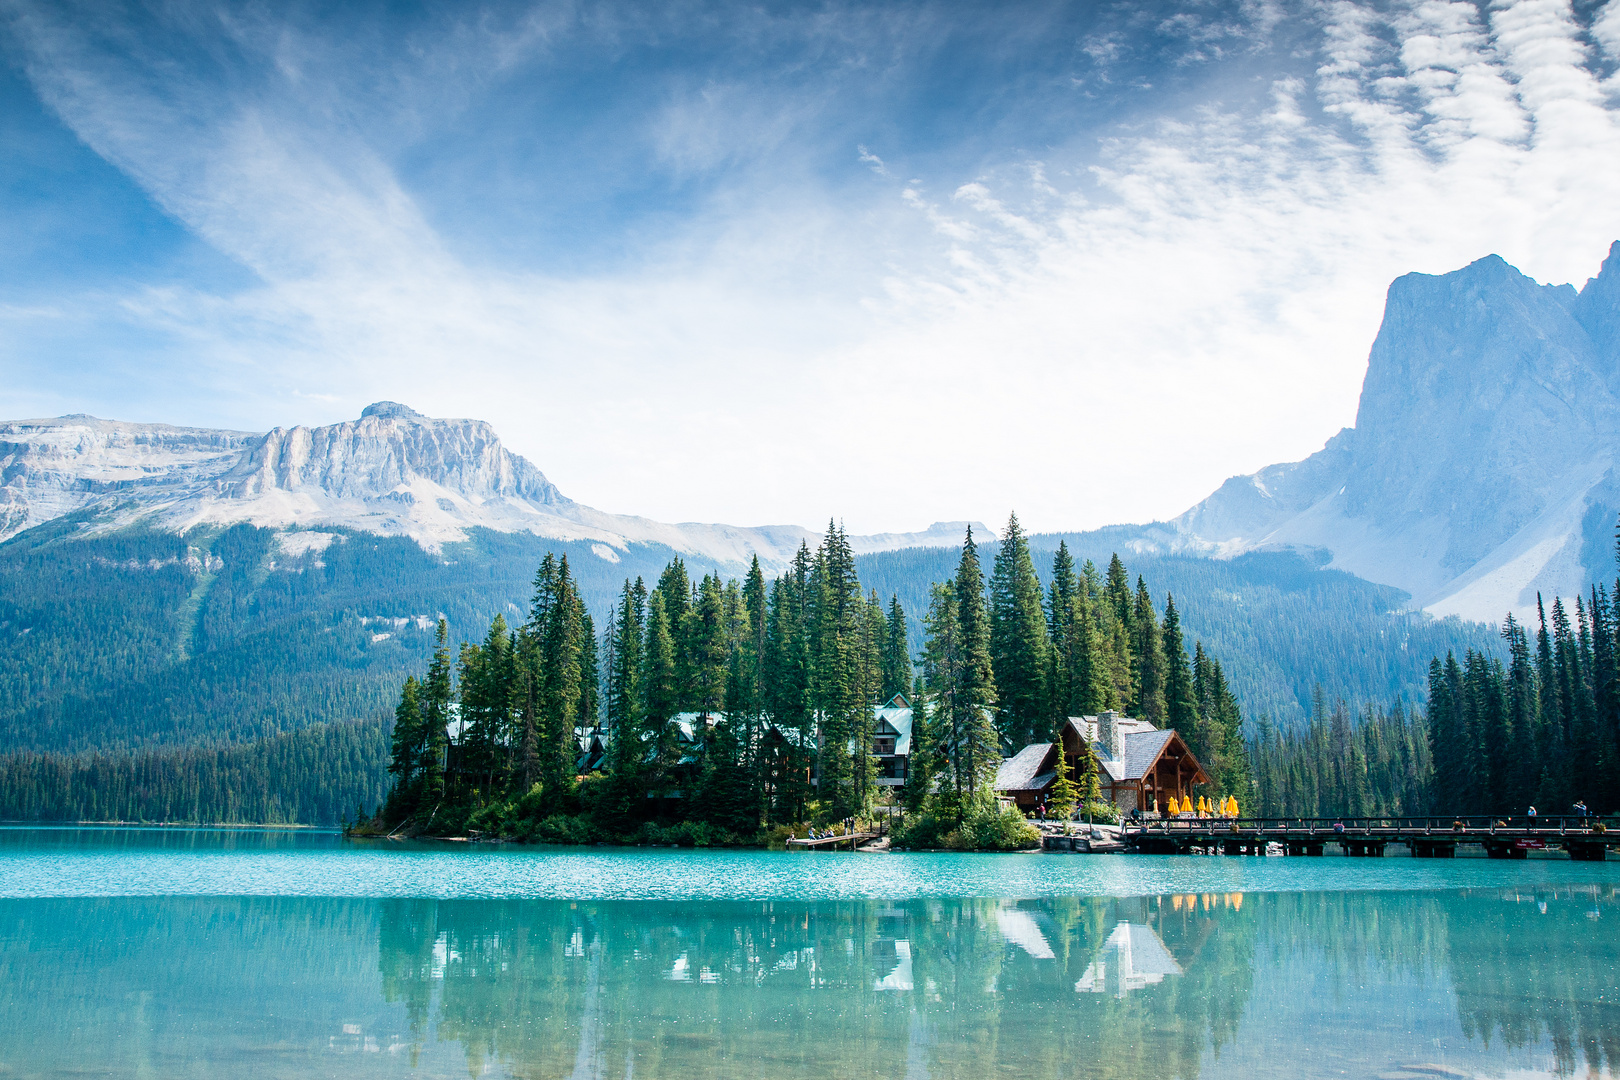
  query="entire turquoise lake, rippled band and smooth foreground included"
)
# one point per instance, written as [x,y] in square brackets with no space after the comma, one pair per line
[297,955]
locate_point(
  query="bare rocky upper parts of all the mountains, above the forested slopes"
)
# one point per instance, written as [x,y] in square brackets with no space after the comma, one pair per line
[1480,472]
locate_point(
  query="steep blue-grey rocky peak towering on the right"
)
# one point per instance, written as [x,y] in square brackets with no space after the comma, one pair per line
[1483,462]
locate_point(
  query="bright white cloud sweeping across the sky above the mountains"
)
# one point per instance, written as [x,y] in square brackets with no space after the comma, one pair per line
[1086,344]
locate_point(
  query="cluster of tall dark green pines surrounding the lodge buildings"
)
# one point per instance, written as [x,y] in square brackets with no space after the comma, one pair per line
[725,712]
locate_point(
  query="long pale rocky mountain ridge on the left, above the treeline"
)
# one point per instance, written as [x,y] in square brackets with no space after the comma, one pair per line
[391,472]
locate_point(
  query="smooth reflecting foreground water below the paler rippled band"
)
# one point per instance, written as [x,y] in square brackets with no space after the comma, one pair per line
[1211,985]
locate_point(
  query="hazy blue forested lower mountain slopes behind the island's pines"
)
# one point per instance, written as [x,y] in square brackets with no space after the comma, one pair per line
[140,637]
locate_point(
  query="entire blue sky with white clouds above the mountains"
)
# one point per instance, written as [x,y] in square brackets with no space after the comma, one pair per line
[780,263]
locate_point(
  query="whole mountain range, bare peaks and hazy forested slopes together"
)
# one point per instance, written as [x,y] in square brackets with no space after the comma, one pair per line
[179,587]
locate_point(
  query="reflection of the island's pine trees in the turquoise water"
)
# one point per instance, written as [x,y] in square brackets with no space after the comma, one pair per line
[942,989]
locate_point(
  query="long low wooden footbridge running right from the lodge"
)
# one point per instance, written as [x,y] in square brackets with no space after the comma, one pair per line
[1426,838]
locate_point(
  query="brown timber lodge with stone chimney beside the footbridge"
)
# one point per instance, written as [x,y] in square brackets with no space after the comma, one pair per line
[1138,765]
